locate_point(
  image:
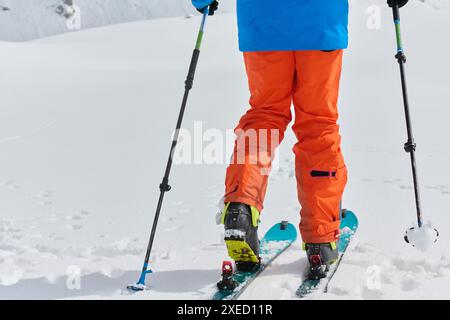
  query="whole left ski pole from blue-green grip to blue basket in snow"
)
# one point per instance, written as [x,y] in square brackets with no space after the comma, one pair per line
[164,186]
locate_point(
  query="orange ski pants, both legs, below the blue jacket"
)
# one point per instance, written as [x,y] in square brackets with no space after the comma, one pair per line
[309,80]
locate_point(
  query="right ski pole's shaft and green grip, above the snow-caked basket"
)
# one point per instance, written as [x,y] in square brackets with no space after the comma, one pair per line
[410,145]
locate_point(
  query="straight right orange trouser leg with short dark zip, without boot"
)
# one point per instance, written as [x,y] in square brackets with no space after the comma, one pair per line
[320,168]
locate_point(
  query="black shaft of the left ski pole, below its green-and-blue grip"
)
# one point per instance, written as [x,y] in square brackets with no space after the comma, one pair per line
[164,186]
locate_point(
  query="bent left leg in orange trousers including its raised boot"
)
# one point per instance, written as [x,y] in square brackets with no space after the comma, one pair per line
[258,133]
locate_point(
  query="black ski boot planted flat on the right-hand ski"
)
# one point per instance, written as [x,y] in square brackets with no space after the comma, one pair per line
[320,256]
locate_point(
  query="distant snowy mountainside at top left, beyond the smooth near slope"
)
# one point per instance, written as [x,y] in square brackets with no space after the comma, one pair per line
[22,20]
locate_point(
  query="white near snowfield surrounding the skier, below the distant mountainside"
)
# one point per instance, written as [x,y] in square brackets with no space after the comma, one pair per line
[85,129]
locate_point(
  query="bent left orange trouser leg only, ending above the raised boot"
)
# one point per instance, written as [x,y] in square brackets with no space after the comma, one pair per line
[261,129]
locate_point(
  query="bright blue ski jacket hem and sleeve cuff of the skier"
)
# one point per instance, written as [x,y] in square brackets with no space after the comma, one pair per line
[279,25]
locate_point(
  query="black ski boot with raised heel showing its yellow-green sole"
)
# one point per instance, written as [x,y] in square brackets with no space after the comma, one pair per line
[241,235]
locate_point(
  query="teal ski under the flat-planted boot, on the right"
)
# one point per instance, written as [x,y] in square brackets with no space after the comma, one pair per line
[349,225]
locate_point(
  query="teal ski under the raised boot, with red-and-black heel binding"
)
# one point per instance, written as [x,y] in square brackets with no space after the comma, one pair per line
[272,245]
